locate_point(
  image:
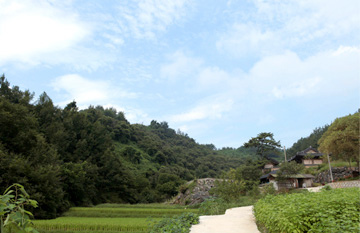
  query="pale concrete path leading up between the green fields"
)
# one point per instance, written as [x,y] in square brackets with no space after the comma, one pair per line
[235,220]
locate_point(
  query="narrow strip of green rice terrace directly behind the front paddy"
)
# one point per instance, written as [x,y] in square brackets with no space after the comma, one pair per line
[124,212]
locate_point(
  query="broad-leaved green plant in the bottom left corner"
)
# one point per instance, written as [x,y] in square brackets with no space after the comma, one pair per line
[13,216]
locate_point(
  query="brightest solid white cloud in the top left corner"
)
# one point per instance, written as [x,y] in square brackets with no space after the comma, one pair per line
[29,29]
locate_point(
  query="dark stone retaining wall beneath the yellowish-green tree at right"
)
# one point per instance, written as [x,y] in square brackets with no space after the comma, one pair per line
[338,173]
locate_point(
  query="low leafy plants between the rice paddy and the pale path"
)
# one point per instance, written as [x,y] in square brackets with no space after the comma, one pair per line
[180,224]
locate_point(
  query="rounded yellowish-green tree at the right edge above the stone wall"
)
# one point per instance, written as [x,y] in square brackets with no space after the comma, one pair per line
[342,139]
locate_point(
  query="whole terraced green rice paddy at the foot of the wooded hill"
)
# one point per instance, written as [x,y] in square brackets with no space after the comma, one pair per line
[110,218]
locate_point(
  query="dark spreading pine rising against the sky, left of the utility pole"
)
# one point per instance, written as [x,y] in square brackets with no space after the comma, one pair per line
[264,143]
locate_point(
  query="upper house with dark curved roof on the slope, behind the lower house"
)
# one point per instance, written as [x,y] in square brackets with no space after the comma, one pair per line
[309,157]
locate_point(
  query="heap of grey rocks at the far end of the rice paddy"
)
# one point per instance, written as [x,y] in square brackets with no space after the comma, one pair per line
[195,193]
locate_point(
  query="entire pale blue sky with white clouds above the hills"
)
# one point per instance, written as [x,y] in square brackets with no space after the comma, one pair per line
[220,71]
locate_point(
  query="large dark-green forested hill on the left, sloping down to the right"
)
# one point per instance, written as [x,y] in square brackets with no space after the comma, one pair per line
[71,157]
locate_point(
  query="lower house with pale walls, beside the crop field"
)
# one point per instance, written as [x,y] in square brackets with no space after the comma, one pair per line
[292,181]
